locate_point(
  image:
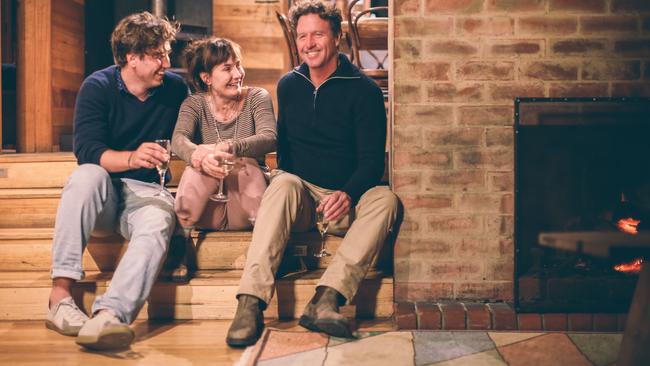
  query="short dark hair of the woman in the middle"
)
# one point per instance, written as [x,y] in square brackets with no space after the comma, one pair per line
[204,54]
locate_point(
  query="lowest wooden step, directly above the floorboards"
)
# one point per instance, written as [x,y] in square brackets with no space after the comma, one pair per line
[209,295]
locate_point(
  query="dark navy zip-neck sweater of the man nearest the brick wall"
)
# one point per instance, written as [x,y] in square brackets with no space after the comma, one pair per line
[333,136]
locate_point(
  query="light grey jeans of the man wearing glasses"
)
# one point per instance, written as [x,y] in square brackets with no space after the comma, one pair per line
[93,203]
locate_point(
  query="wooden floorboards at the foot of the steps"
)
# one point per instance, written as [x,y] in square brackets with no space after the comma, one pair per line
[157,343]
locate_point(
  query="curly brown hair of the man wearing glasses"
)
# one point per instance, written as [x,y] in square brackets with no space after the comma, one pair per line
[139,33]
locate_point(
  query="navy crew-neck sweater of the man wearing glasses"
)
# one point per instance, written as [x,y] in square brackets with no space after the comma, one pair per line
[108,116]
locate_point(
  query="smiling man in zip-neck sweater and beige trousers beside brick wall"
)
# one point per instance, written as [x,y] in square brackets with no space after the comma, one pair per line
[331,139]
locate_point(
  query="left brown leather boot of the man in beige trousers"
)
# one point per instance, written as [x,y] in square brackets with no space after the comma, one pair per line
[248,324]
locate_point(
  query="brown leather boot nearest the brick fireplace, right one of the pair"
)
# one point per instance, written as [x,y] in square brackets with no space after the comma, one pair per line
[322,314]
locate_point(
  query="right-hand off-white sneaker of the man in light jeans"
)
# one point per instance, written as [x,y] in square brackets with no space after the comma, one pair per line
[105,332]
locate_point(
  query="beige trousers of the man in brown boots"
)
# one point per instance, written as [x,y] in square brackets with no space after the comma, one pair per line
[288,205]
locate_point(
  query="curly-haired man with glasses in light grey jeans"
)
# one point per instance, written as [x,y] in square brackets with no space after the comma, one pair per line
[120,111]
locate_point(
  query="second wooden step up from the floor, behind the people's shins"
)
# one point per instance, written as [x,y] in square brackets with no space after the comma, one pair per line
[30,250]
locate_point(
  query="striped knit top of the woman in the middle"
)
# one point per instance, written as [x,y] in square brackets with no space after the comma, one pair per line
[254,128]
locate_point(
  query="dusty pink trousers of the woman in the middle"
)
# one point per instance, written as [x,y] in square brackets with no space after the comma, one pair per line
[244,187]
